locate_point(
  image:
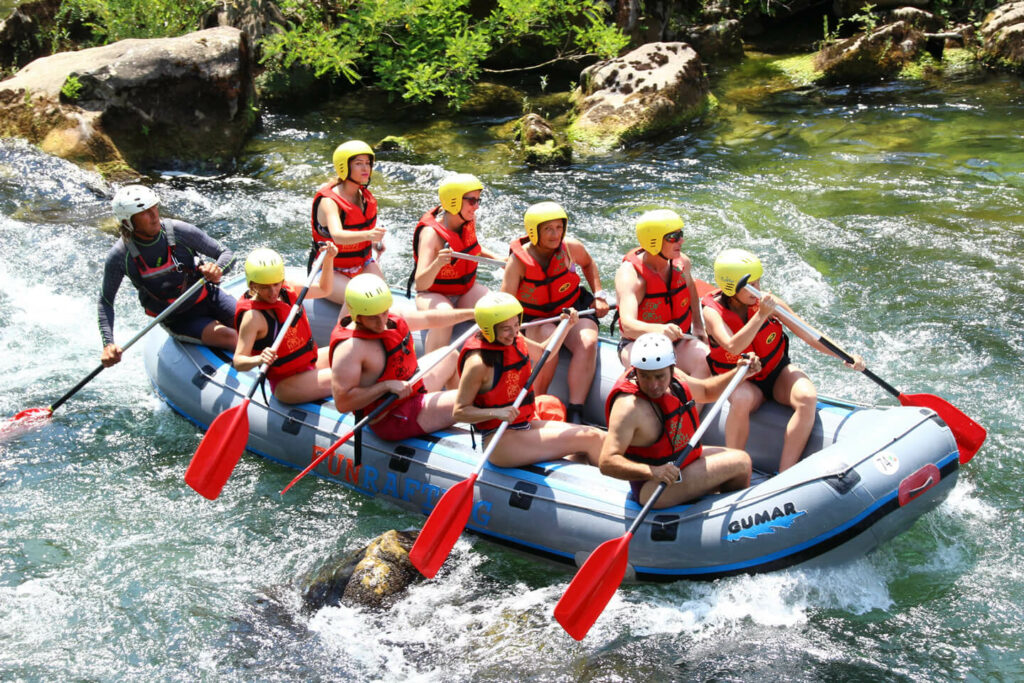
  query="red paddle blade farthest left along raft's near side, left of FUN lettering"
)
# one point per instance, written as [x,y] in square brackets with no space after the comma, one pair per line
[220,451]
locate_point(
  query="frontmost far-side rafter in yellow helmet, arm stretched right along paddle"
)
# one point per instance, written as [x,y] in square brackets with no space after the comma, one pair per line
[738,323]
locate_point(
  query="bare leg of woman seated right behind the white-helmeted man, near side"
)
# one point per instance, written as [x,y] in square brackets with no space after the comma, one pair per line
[547,441]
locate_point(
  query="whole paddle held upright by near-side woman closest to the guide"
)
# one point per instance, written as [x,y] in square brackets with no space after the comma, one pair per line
[225,441]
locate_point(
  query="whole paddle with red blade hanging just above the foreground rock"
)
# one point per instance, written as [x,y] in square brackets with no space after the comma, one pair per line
[451,515]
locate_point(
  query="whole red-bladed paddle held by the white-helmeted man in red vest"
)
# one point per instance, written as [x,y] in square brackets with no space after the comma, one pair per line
[602,575]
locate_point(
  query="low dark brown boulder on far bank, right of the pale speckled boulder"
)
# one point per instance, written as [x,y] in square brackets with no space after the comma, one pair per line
[871,57]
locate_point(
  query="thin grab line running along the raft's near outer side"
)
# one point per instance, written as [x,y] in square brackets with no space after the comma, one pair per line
[662,525]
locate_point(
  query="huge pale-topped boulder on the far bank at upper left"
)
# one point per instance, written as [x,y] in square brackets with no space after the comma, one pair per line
[138,104]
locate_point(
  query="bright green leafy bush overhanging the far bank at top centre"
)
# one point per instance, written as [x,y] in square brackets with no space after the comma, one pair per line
[429,50]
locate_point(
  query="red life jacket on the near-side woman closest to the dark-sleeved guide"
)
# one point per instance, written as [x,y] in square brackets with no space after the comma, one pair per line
[297,350]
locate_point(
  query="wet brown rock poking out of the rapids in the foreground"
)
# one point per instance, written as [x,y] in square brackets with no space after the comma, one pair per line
[372,577]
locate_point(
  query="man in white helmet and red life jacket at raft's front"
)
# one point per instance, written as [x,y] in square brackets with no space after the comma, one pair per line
[652,416]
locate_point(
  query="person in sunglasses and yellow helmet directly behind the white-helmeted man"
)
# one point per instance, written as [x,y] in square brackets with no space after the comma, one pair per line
[657,293]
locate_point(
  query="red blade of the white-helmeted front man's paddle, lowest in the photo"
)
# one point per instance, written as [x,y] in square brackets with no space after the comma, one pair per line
[593,586]
